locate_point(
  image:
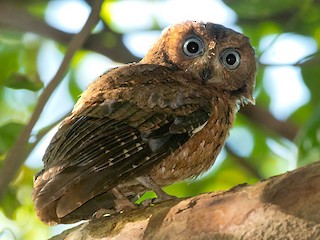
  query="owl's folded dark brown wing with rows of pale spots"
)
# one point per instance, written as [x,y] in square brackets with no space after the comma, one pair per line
[125,123]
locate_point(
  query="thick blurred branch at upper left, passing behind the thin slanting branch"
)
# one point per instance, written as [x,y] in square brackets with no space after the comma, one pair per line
[17,18]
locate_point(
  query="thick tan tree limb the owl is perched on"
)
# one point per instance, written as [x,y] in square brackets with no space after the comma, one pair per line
[283,207]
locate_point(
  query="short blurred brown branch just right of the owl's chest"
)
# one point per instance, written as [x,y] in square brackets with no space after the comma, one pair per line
[267,120]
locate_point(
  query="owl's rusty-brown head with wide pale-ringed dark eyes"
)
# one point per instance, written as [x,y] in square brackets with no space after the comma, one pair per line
[219,57]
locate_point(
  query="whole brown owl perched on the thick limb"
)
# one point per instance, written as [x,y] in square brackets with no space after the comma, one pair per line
[146,125]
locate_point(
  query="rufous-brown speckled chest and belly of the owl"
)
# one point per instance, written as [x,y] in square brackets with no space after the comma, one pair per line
[199,153]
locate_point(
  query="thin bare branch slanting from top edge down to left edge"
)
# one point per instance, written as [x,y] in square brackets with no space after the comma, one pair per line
[17,154]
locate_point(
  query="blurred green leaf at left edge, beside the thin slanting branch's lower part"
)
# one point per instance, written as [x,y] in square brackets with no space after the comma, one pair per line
[8,134]
